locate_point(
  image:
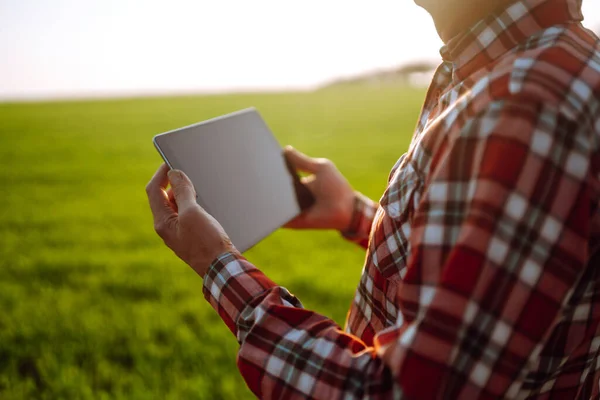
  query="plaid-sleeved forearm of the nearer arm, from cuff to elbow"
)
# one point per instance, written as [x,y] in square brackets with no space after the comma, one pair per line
[285,350]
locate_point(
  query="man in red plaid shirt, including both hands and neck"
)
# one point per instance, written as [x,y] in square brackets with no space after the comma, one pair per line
[482,276]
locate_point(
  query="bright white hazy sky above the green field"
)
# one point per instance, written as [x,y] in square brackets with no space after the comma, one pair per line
[86,48]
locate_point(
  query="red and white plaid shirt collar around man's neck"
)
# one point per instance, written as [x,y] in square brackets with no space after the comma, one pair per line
[502,30]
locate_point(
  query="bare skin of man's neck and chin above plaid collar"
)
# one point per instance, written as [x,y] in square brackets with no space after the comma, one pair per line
[450,20]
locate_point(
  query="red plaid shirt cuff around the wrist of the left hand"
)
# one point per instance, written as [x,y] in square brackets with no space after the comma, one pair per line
[233,285]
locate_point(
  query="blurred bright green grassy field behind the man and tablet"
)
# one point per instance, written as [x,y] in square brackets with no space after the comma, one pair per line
[93,305]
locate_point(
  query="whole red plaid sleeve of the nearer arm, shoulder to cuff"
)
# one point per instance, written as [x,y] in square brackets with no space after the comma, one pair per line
[499,241]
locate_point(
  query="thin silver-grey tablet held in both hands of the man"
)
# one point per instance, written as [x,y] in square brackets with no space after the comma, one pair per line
[239,172]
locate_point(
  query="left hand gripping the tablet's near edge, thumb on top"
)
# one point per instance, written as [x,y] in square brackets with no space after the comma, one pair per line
[193,235]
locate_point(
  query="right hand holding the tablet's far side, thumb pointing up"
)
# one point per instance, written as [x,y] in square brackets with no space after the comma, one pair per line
[334,197]
